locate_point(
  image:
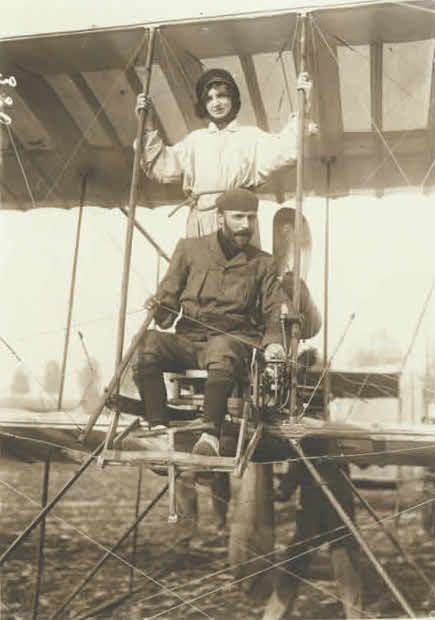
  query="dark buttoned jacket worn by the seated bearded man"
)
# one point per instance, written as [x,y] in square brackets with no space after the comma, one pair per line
[239,295]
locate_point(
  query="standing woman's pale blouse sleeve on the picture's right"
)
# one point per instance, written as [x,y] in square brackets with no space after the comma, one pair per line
[275,150]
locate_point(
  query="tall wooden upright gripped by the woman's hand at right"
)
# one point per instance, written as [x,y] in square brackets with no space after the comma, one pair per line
[295,334]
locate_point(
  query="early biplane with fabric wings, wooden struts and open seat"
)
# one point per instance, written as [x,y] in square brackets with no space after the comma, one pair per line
[67,135]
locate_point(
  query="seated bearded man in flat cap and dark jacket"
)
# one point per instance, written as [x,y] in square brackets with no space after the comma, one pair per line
[230,298]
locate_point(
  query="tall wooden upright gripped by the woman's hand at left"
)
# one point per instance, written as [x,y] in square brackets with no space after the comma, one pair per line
[134,188]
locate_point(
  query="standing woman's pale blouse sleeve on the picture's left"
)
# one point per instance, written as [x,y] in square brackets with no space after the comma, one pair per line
[165,164]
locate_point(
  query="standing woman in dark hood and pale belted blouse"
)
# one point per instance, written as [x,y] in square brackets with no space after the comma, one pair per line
[224,155]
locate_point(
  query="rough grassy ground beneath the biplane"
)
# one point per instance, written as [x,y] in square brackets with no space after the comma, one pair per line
[97,510]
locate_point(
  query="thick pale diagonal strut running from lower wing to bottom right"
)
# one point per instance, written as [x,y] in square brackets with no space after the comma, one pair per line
[353,529]
